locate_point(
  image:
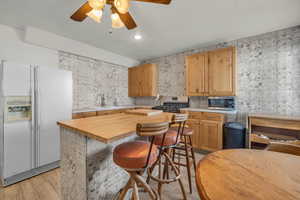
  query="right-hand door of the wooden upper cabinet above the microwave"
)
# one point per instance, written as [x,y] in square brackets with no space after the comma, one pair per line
[222,72]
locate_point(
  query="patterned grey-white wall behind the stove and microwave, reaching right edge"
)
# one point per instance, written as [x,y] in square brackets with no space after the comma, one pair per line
[268,68]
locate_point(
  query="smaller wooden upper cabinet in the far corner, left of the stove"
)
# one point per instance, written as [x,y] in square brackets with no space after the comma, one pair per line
[142,81]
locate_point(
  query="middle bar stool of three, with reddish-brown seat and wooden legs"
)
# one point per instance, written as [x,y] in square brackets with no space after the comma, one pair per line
[165,144]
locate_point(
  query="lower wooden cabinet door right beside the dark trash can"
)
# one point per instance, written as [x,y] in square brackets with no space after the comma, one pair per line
[211,137]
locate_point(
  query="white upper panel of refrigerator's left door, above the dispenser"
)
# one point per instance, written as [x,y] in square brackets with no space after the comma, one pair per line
[16,79]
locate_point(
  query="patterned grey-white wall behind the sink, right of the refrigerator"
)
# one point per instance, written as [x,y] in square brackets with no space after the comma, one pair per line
[92,78]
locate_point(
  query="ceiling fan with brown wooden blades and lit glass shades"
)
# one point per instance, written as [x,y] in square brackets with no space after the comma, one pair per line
[120,15]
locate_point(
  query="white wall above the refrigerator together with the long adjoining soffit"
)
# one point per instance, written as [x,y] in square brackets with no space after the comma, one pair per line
[35,46]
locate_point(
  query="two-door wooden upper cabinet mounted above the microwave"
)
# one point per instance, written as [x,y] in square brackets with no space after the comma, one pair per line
[211,73]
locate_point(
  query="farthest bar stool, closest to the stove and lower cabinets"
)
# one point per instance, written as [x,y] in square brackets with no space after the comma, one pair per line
[185,148]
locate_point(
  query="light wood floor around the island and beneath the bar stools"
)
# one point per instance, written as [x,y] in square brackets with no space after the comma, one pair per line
[47,187]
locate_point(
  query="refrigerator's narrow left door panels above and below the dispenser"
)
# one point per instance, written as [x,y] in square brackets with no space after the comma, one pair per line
[17,135]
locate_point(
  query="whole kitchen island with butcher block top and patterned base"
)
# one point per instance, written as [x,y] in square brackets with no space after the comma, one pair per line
[87,168]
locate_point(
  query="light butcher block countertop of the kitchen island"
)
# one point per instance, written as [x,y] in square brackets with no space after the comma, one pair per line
[109,128]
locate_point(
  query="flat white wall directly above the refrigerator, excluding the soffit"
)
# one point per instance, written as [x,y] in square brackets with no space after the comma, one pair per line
[13,48]
